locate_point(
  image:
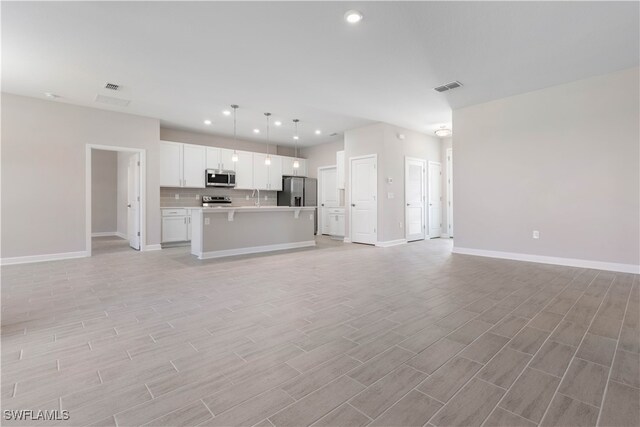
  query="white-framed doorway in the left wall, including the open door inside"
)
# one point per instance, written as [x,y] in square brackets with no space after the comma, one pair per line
[115,202]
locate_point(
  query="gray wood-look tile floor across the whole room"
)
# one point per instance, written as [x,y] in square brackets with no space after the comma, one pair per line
[338,335]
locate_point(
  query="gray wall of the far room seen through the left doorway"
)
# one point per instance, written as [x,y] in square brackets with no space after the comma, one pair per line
[104,183]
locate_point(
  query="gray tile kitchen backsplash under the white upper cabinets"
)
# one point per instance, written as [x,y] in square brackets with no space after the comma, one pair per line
[191,197]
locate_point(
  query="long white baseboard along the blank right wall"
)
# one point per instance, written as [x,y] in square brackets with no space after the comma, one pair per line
[569,262]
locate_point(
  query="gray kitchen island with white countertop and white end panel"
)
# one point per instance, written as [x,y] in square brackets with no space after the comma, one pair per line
[227,231]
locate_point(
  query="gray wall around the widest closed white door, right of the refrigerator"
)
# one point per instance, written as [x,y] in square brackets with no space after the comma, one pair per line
[382,139]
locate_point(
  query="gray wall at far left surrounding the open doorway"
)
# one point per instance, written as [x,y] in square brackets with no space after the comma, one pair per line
[43,171]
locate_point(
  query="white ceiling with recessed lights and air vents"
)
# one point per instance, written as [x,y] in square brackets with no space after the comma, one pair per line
[184,62]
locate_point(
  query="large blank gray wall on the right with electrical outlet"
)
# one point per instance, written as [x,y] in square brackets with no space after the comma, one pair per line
[562,160]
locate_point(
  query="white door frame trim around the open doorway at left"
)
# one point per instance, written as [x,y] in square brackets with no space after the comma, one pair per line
[87,191]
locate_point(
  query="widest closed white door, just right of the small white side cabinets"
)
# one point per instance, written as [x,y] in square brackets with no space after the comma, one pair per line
[364,204]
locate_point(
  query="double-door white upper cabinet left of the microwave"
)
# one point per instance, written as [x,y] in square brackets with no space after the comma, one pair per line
[182,165]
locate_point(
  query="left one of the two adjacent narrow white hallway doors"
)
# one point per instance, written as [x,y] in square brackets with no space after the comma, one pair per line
[414,185]
